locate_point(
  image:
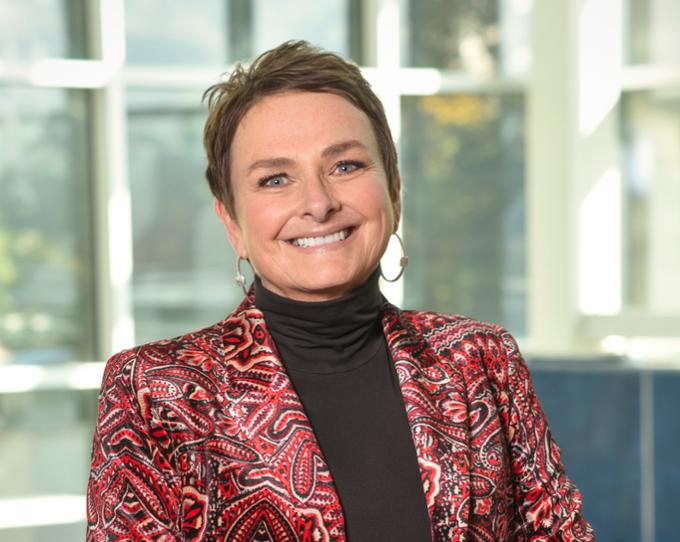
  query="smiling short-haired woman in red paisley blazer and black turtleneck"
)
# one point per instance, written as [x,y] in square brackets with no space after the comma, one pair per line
[316,410]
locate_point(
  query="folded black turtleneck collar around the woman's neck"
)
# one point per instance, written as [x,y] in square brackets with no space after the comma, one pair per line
[325,336]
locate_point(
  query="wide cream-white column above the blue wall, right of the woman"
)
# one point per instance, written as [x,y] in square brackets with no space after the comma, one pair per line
[550,230]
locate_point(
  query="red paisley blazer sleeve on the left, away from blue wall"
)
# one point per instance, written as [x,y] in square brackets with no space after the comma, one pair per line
[133,492]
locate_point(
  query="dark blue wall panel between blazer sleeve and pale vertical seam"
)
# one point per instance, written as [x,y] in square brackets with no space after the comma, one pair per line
[595,418]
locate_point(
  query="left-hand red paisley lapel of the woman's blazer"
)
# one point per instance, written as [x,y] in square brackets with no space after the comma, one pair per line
[272,419]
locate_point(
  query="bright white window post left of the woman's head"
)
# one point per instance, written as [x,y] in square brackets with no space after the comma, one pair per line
[112,209]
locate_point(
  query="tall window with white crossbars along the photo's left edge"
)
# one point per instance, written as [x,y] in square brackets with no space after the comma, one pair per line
[48,276]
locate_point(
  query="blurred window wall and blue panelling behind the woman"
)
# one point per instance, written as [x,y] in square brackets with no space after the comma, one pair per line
[540,153]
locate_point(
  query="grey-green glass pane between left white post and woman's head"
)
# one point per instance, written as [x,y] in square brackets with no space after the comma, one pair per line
[183,264]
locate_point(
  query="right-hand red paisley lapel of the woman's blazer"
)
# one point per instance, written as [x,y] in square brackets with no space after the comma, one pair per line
[437,411]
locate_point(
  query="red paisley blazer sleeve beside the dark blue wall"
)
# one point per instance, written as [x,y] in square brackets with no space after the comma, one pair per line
[548,502]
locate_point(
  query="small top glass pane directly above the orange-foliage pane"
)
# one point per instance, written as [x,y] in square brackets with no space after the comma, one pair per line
[481,37]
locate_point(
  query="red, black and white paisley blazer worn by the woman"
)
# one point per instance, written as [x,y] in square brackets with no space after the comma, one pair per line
[203,437]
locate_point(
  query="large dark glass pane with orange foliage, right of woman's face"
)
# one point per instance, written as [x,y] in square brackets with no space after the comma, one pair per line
[464,210]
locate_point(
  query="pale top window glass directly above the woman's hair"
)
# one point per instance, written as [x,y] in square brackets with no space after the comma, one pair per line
[219,31]
